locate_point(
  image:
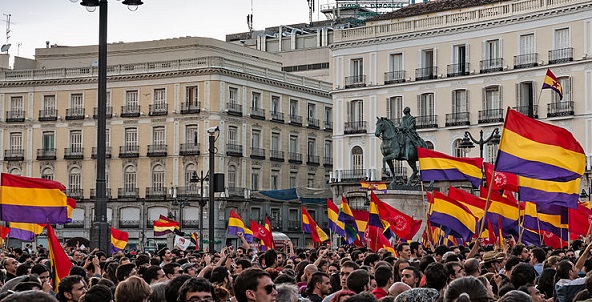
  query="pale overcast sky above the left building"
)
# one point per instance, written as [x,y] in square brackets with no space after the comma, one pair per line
[64,22]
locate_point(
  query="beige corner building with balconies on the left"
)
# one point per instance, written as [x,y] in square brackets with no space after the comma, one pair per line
[275,129]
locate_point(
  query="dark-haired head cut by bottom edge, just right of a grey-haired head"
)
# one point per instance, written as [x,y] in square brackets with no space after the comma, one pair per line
[467,289]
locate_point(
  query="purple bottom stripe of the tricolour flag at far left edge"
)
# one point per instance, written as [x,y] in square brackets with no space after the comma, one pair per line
[15,213]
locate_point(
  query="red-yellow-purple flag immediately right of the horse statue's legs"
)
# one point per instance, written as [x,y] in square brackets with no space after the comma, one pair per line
[439,166]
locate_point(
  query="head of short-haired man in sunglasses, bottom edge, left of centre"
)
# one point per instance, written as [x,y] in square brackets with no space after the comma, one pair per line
[254,284]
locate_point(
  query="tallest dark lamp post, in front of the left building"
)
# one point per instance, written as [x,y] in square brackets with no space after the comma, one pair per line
[100,232]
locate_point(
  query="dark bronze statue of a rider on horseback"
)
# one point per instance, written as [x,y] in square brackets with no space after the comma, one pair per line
[399,143]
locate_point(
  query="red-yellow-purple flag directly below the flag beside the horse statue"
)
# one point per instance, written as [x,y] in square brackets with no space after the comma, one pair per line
[451,215]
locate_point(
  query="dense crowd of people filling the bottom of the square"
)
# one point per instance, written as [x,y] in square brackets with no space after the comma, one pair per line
[413,273]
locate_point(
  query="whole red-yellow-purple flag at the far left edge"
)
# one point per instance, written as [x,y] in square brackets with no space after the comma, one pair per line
[32,200]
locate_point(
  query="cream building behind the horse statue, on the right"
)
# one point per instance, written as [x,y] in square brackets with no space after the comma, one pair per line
[458,70]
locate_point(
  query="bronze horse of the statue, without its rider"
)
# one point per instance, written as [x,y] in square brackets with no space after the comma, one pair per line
[394,146]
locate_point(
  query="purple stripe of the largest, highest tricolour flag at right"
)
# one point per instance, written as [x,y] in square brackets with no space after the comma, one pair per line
[509,163]
